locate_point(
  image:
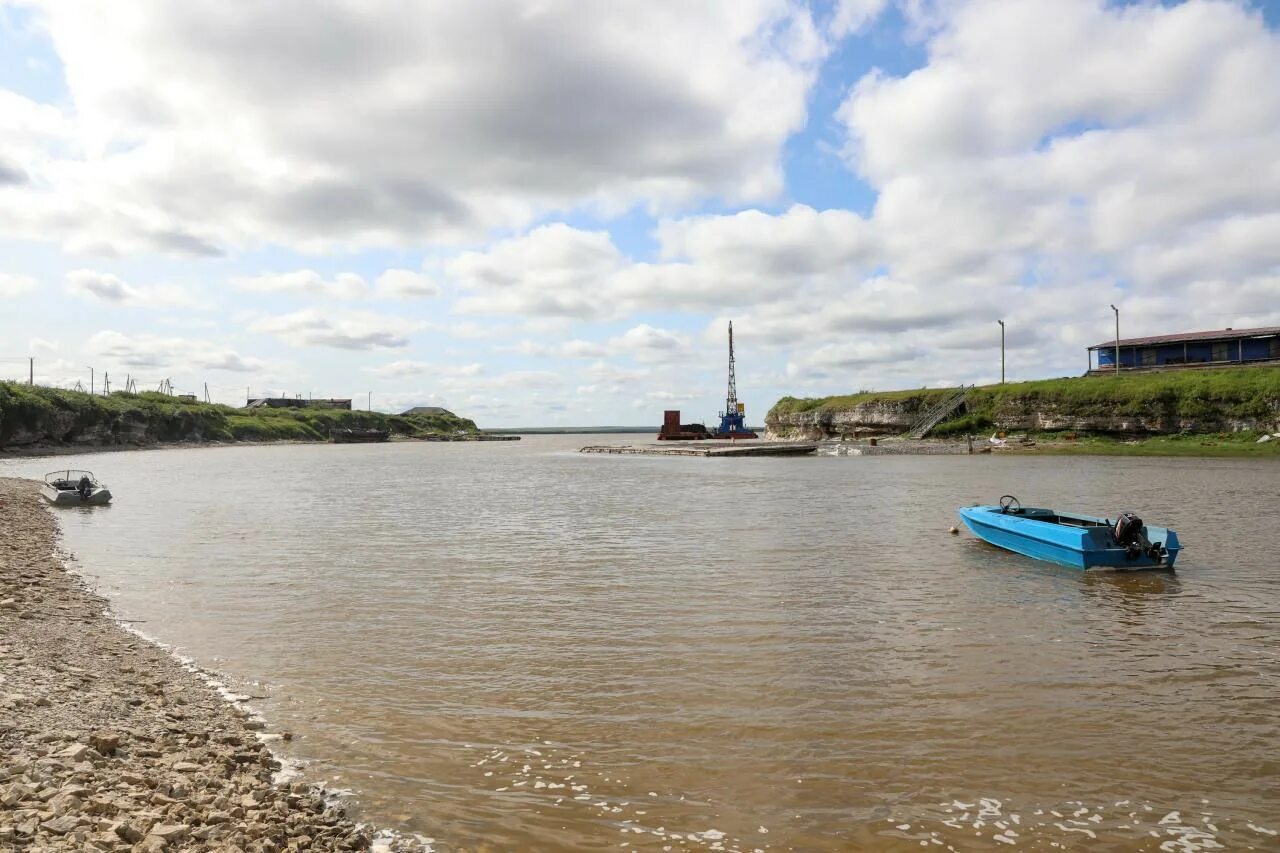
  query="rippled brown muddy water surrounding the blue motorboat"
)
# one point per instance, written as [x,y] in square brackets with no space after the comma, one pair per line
[510,646]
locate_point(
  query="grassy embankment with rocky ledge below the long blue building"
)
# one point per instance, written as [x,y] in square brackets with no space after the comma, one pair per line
[1205,399]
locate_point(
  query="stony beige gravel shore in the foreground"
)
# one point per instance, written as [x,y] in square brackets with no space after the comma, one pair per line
[108,743]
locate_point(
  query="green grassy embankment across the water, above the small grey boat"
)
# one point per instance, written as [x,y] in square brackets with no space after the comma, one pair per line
[54,416]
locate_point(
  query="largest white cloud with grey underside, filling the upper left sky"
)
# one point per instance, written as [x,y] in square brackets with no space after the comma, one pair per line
[203,127]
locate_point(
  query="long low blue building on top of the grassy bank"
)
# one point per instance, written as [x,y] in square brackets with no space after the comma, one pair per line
[1190,350]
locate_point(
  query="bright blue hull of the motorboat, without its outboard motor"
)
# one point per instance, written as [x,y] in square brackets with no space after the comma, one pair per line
[1080,542]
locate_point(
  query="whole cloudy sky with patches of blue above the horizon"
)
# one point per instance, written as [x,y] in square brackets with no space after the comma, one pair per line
[547,212]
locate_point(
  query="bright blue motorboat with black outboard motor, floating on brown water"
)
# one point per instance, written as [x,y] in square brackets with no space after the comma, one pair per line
[1073,540]
